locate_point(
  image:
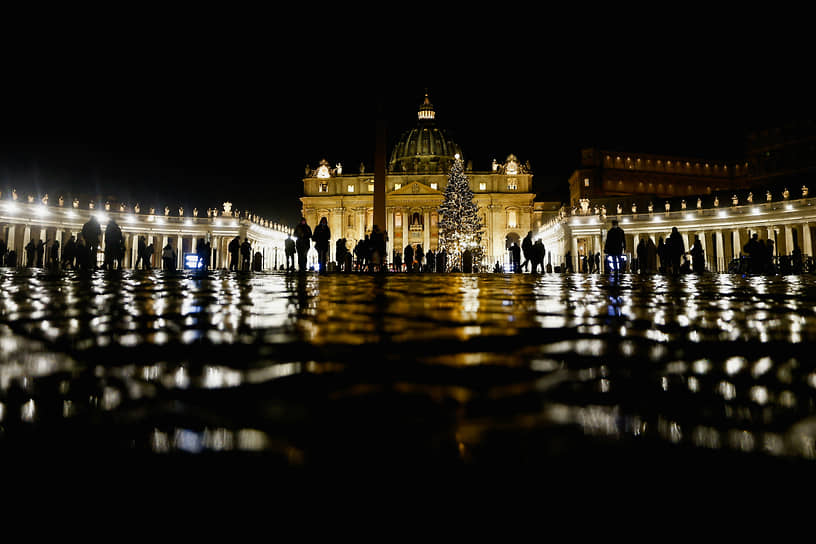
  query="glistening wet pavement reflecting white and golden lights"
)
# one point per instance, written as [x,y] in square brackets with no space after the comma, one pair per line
[229,362]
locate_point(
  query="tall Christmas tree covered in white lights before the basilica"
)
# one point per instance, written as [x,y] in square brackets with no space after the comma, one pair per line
[460,227]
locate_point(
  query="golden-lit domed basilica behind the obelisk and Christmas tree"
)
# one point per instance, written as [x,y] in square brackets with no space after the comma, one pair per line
[416,176]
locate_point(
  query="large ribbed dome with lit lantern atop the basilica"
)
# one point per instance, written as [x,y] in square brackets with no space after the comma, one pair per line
[424,148]
